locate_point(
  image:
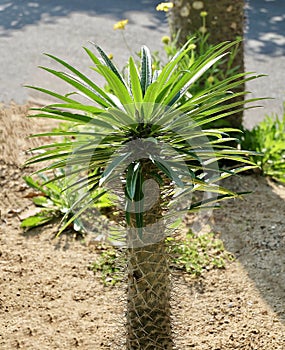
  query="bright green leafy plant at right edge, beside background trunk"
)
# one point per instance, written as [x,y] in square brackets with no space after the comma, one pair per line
[268,139]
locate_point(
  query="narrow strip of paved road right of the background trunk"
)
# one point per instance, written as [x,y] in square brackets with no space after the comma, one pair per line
[265,53]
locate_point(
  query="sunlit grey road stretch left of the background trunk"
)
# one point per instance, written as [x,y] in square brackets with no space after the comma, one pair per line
[30,28]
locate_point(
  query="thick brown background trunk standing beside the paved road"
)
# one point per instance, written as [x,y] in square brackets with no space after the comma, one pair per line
[224,22]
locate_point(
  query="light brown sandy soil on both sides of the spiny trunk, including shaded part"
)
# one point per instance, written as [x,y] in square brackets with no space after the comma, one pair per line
[49,300]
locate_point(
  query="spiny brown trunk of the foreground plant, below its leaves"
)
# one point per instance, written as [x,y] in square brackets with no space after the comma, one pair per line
[148,292]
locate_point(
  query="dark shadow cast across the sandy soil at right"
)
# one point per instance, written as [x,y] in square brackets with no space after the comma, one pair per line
[254,230]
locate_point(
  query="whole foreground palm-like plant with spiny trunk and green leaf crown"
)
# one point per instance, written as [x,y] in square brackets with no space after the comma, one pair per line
[151,152]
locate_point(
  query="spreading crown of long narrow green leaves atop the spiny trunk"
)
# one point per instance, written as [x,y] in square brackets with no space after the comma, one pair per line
[148,124]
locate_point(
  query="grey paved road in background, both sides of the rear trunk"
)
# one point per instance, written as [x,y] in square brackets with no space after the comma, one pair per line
[29,28]
